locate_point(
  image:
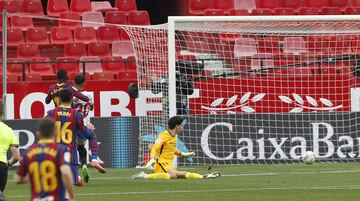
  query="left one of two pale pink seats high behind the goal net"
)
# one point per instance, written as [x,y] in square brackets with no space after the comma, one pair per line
[245,47]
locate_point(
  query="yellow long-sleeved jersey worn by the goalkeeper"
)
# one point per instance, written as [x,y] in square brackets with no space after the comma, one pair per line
[164,148]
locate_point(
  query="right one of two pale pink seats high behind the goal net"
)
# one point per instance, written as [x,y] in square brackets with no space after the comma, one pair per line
[294,45]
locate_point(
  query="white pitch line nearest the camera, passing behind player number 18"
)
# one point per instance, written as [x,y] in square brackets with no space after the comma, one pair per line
[345,187]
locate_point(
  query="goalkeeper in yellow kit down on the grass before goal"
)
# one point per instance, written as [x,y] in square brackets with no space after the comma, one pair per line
[163,152]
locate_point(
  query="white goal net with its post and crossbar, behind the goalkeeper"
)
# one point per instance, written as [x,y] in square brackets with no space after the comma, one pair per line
[253,91]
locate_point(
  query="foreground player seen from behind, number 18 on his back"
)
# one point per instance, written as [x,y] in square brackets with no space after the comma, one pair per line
[47,163]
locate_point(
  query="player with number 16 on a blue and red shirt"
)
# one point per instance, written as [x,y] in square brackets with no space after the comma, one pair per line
[69,125]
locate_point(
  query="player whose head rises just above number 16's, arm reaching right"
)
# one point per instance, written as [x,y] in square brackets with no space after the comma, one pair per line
[61,76]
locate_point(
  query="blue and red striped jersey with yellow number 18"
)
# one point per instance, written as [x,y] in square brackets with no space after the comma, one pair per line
[42,162]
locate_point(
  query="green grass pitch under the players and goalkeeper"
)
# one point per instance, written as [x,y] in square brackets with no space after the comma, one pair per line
[290,182]
